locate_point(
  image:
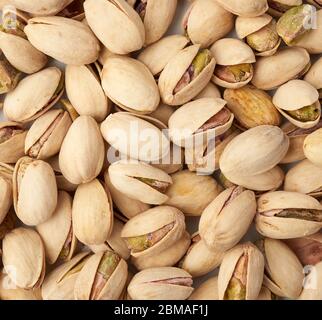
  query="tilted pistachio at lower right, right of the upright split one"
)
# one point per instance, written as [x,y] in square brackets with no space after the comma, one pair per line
[283,273]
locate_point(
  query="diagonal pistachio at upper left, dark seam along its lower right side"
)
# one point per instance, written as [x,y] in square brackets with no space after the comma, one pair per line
[34,95]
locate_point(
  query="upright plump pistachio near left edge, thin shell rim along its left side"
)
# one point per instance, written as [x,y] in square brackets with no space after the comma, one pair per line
[34,191]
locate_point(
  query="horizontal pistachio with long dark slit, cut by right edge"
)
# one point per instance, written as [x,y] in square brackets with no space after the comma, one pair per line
[287,215]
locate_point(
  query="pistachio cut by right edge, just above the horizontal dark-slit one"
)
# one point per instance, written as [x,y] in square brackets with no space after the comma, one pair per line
[304,177]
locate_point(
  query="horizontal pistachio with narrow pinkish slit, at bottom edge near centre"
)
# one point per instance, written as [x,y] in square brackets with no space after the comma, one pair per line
[164,283]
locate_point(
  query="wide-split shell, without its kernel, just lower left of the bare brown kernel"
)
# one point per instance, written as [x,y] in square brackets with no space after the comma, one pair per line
[187,120]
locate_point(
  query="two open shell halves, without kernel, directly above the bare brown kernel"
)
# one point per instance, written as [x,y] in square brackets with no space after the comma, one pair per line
[232,52]
